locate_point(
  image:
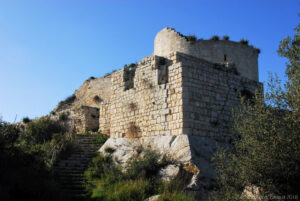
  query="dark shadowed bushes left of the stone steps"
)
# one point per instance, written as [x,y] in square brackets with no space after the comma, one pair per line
[23,177]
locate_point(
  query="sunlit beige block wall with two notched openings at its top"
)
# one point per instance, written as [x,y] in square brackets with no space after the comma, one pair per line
[150,108]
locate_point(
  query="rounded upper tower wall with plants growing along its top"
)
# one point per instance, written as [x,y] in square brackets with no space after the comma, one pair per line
[243,56]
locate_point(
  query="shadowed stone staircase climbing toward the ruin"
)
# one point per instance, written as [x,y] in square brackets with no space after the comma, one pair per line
[70,171]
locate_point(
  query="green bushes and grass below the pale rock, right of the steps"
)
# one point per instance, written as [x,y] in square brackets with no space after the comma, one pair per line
[106,181]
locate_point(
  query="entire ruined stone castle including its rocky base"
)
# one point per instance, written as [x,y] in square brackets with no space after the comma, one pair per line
[178,100]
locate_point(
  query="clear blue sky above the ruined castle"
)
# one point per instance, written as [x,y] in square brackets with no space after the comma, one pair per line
[48,48]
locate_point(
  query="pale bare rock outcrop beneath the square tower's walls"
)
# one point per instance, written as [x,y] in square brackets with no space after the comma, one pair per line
[192,152]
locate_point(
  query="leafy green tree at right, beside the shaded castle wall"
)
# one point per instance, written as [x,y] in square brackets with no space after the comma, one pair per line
[266,137]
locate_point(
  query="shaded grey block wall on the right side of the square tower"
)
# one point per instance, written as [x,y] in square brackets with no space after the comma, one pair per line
[210,92]
